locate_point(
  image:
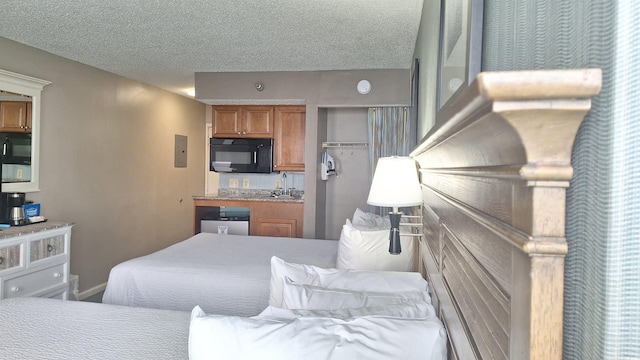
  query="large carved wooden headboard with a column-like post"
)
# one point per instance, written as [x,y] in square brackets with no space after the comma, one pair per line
[494,172]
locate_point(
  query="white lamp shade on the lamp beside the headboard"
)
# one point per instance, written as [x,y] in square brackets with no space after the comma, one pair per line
[395,183]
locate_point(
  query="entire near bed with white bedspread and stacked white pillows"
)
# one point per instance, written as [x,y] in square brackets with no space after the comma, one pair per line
[334,325]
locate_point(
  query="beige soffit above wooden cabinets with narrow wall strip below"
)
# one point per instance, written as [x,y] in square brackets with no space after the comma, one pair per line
[316,89]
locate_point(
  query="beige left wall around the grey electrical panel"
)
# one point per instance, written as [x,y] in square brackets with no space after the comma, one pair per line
[107,146]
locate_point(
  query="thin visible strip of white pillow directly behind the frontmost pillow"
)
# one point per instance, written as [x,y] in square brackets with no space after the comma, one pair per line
[417,309]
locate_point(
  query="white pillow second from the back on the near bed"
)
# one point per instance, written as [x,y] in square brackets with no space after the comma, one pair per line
[300,296]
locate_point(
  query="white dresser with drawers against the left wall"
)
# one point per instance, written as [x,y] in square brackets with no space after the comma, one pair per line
[34,260]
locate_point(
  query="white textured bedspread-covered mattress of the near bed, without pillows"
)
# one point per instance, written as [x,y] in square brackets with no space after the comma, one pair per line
[37,328]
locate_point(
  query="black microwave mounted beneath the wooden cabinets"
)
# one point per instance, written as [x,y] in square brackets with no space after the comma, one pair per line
[241,155]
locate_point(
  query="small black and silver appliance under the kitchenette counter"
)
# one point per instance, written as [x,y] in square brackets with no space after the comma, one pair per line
[226,220]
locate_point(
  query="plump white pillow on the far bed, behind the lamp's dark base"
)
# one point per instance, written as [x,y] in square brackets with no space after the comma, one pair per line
[363,249]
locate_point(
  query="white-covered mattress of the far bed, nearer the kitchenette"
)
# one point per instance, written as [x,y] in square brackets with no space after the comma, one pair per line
[223,274]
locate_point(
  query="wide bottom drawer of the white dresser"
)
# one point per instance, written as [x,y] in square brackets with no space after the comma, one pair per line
[28,284]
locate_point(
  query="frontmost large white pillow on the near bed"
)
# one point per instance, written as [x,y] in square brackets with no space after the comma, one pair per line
[368,337]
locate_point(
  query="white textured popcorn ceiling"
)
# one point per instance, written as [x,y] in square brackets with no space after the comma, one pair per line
[163,43]
